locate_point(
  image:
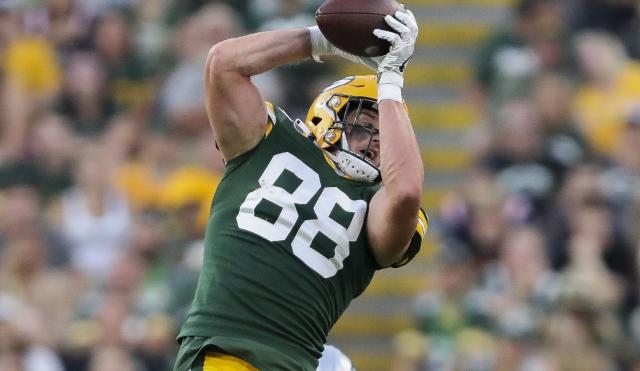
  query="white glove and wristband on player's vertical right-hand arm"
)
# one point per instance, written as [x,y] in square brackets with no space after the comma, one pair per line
[391,68]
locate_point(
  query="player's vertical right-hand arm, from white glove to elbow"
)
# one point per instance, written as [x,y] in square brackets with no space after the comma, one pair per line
[394,209]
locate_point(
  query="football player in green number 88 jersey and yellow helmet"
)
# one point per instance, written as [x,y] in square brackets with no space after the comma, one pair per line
[307,211]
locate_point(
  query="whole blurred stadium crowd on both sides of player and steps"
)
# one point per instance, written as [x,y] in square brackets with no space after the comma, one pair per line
[107,170]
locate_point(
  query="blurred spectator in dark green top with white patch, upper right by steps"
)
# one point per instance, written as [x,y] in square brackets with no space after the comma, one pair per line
[507,63]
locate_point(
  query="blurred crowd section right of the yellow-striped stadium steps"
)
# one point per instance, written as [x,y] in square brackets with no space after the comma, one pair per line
[538,269]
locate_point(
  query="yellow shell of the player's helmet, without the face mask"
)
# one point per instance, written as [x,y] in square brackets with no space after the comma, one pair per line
[330,107]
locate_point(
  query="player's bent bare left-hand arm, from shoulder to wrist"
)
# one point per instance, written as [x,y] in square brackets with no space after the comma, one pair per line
[235,107]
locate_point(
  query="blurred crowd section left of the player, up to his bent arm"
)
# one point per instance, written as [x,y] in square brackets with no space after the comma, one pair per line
[108,169]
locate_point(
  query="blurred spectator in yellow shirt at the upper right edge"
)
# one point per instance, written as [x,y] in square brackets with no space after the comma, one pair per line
[611,90]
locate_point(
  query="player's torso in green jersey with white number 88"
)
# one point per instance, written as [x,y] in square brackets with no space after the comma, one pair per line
[286,246]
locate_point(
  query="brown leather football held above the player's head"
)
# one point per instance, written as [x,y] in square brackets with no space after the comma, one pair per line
[349,24]
